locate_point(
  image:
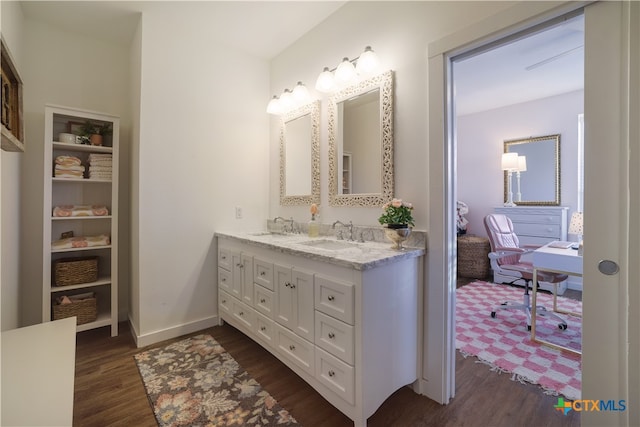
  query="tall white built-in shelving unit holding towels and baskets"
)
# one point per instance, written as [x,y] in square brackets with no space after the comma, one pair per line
[81,191]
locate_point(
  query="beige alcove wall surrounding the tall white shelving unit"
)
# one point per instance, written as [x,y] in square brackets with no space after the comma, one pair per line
[64,68]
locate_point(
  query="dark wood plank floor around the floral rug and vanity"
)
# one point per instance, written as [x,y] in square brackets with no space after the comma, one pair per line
[109,391]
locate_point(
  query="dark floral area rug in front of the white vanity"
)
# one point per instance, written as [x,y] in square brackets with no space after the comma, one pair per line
[196,382]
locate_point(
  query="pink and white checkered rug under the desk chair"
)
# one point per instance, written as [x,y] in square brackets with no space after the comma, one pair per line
[504,342]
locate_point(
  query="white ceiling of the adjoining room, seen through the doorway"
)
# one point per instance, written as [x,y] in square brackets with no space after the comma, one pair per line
[543,64]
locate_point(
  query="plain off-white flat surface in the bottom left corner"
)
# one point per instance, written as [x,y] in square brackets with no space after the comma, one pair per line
[38,372]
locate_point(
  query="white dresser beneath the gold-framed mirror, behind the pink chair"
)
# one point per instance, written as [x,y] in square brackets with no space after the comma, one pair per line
[537,225]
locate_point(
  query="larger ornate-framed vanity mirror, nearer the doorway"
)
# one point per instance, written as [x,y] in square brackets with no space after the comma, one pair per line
[361,143]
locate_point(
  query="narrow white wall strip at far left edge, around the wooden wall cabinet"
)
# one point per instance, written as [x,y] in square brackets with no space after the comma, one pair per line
[12,25]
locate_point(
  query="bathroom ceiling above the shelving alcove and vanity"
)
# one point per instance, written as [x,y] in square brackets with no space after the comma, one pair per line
[260,28]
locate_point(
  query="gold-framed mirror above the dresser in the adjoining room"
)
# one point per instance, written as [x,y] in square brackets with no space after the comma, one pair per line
[539,183]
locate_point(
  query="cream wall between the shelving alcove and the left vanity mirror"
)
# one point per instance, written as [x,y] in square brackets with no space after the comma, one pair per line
[202,147]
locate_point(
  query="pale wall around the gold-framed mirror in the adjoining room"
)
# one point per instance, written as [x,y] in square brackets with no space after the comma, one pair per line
[480,139]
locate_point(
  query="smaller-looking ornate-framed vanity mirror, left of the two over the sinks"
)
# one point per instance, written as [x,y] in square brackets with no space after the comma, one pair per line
[300,156]
